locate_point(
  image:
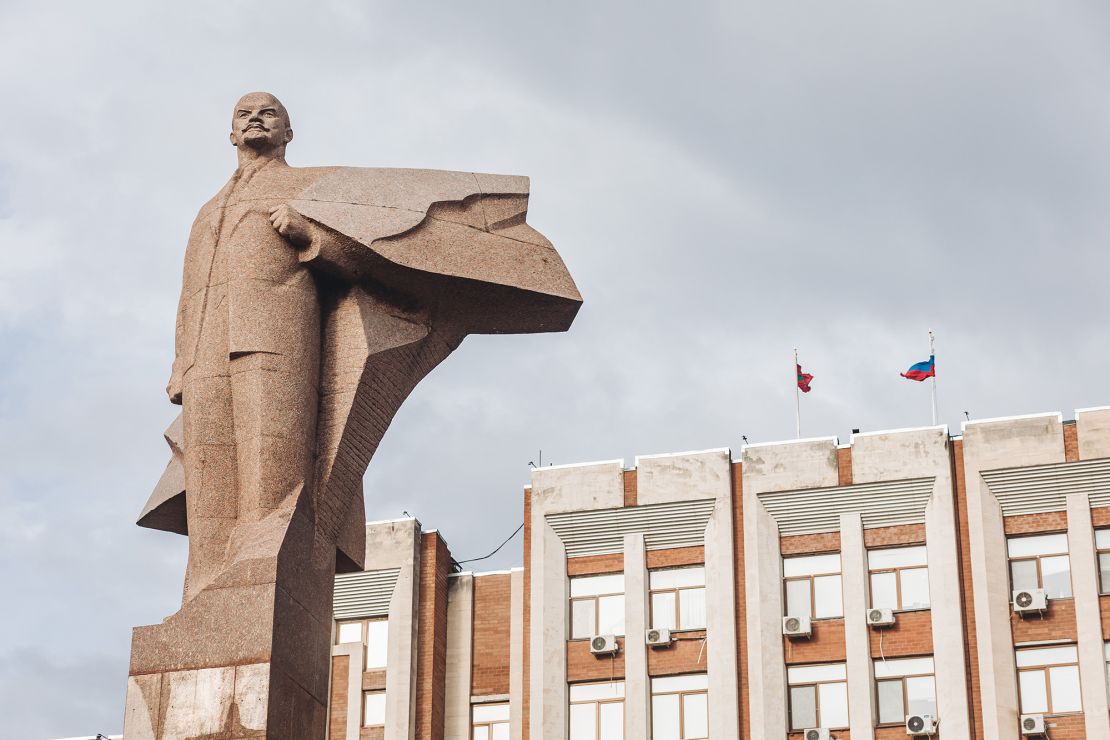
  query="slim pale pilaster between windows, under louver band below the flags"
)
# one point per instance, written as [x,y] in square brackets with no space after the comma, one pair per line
[857,642]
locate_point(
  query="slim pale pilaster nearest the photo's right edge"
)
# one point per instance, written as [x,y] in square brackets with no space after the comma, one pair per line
[1085,584]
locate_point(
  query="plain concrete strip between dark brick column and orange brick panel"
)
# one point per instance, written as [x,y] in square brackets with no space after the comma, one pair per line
[460,656]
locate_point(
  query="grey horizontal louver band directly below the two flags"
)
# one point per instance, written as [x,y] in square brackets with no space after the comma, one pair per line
[884,504]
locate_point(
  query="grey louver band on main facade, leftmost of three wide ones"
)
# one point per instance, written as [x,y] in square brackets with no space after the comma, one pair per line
[681,524]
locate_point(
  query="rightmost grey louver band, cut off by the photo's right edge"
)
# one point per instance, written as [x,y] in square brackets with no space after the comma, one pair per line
[1042,489]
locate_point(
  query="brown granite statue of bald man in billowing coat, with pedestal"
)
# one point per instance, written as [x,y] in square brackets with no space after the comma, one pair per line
[314,301]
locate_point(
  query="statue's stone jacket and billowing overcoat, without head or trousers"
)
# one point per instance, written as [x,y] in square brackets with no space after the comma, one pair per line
[412,261]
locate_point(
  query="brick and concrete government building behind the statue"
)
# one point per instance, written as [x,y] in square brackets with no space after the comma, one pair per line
[907,584]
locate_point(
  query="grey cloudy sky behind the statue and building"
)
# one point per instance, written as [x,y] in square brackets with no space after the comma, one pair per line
[725,181]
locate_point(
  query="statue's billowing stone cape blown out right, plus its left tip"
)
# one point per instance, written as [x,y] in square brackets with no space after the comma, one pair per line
[420,259]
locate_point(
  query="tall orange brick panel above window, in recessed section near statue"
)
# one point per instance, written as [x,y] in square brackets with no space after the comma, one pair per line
[490,671]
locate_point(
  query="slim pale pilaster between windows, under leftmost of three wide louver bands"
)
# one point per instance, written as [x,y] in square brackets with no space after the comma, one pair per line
[638,686]
